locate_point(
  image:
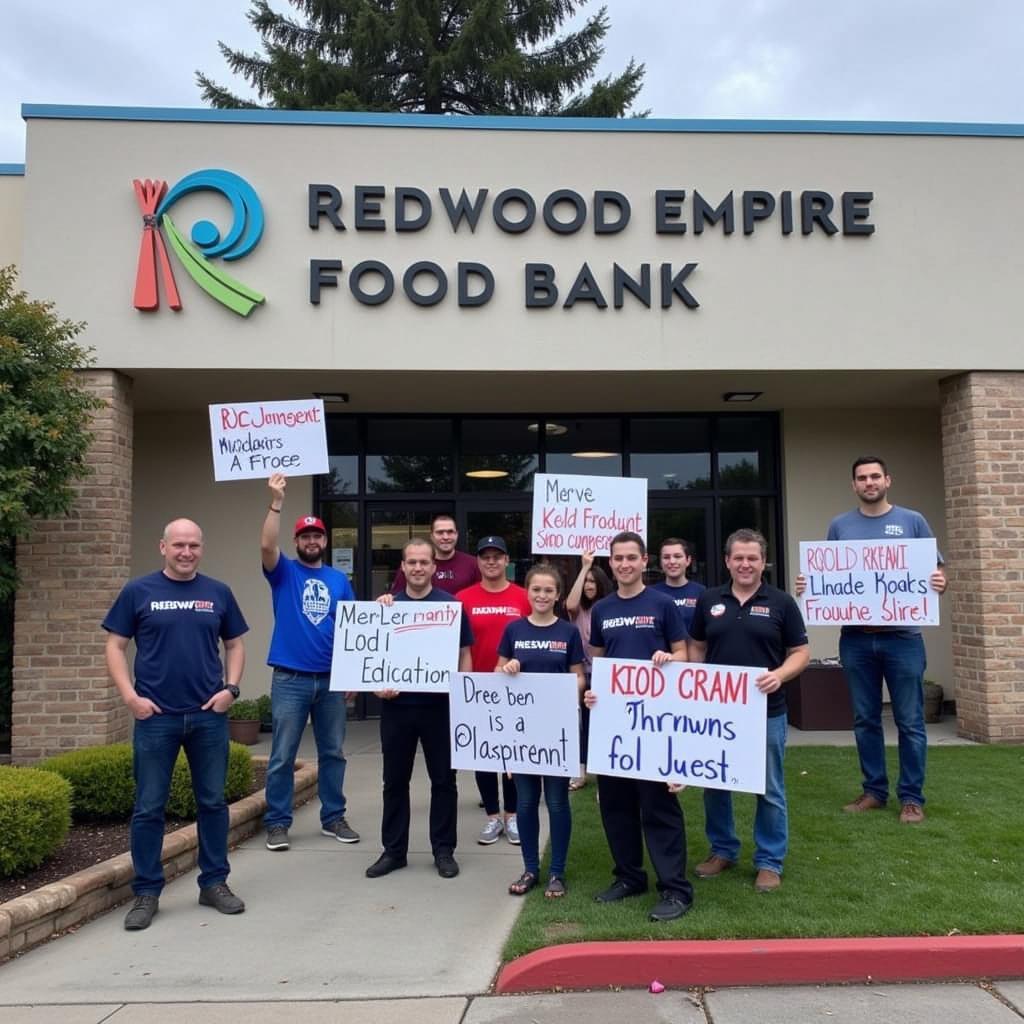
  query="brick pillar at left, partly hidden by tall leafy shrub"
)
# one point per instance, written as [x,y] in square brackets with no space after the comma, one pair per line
[71,572]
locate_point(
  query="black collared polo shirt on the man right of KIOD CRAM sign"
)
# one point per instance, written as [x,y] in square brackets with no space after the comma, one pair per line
[757,633]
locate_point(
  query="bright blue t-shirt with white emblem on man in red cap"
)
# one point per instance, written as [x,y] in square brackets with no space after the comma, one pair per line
[306,602]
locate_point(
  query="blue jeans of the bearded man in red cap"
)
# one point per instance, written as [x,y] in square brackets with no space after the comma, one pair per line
[295,697]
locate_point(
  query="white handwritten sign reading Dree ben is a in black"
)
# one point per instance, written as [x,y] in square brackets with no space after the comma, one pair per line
[527,723]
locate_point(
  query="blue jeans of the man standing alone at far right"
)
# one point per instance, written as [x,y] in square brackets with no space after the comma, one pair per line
[867,659]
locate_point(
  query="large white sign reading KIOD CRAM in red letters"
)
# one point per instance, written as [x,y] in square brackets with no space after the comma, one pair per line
[697,724]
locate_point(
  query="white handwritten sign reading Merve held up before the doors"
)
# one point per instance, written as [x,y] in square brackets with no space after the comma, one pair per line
[573,515]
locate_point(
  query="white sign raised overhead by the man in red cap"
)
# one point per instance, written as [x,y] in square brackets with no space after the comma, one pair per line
[255,440]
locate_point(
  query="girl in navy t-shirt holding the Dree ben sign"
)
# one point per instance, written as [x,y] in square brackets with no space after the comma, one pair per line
[542,643]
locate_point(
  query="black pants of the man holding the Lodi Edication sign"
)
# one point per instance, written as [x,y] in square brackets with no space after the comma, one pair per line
[403,727]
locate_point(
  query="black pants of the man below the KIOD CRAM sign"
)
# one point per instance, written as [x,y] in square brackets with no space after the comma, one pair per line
[634,812]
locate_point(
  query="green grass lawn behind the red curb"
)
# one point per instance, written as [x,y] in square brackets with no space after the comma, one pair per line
[846,875]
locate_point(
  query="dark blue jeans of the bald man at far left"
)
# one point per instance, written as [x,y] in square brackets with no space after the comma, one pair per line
[156,745]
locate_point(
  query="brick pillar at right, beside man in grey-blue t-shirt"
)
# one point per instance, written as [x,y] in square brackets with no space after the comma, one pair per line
[983,441]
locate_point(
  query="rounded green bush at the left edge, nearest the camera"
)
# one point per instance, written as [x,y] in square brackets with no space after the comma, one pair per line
[35,817]
